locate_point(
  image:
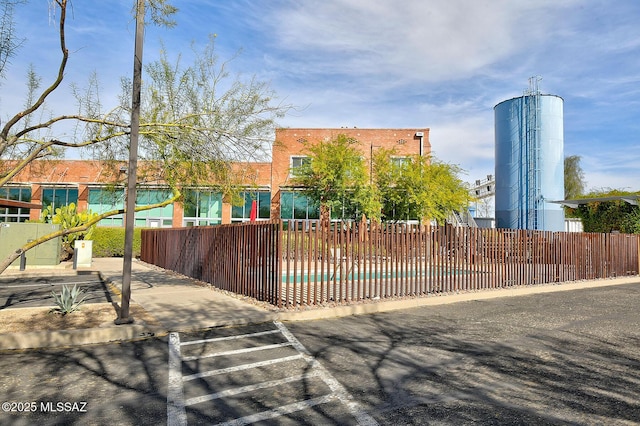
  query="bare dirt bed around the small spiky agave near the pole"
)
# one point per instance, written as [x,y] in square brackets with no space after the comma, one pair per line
[89,316]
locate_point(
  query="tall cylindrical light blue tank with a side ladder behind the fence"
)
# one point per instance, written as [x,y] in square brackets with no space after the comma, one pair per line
[529,134]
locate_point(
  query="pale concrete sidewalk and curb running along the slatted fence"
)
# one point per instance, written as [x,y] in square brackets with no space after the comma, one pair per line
[178,303]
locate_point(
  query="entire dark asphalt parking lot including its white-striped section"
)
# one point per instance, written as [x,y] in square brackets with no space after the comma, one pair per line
[557,358]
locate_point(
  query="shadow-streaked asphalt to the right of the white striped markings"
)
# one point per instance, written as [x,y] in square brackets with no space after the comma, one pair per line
[562,358]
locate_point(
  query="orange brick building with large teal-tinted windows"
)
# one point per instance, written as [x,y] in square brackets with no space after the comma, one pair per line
[99,186]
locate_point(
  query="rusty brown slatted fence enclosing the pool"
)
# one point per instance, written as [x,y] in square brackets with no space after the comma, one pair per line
[300,263]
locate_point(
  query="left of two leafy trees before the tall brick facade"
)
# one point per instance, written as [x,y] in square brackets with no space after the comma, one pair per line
[336,175]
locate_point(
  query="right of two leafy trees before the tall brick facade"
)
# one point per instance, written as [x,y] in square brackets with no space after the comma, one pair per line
[418,187]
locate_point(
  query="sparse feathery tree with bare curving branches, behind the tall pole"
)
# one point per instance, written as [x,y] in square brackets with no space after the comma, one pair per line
[194,121]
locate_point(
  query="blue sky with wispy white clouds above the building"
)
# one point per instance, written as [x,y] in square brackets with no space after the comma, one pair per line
[439,64]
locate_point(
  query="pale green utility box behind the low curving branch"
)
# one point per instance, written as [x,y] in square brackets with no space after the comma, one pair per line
[15,235]
